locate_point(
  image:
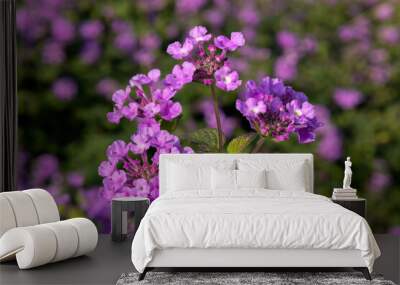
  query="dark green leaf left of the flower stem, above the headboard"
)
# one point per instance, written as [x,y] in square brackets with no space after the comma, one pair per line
[204,140]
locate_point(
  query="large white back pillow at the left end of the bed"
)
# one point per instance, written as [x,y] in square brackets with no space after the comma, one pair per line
[183,177]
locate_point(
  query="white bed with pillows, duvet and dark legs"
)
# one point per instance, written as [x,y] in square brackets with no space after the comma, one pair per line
[249,227]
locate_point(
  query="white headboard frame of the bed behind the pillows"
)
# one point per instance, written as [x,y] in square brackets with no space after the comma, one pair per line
[200,158]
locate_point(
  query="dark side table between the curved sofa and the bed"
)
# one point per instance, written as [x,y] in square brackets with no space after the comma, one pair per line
[119,215]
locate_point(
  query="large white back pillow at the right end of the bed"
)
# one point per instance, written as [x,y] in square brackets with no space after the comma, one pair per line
[281,174]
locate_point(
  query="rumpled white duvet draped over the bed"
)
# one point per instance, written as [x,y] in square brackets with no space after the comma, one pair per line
[252,218]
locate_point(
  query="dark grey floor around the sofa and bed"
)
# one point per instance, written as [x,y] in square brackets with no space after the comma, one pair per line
[110,260]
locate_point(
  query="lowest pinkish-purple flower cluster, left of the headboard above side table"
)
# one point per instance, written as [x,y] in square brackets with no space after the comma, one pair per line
[130,169]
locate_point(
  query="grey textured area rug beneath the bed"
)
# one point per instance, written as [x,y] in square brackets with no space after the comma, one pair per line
[243,278]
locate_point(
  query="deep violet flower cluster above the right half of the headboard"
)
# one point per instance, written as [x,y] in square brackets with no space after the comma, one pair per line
[276,110]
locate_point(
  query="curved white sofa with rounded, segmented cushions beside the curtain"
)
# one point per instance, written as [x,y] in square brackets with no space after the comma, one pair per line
[31,230]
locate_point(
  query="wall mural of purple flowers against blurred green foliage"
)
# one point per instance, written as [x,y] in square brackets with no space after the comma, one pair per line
[234,79]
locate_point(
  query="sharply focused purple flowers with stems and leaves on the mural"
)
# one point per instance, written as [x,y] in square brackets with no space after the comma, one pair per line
[273,109]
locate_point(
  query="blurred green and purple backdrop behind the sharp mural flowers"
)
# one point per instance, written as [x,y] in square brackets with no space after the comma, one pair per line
[345,55]
